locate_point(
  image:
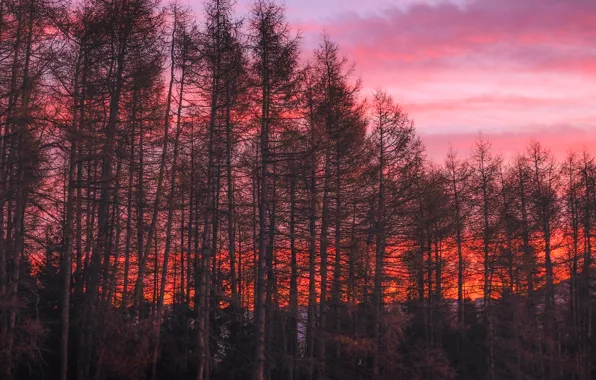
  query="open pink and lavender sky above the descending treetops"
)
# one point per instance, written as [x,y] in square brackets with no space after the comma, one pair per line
[511,70]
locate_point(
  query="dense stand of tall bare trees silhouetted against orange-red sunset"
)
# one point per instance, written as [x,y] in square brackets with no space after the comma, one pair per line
[189,194]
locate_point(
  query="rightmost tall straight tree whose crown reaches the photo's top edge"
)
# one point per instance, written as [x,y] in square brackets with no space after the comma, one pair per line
[275,57]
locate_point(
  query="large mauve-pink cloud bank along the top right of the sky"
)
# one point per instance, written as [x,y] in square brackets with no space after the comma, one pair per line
[528,32]
